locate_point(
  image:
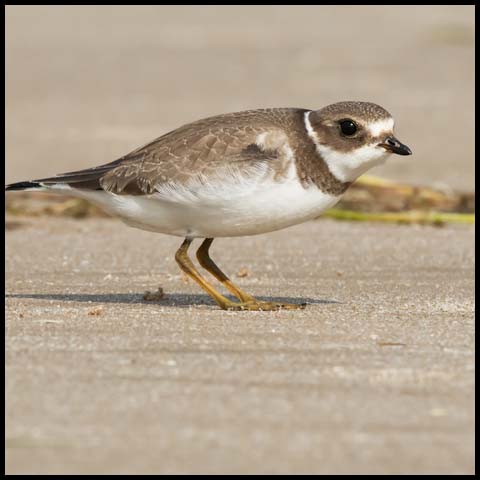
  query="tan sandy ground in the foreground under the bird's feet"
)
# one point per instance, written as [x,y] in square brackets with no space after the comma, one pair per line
[375,376]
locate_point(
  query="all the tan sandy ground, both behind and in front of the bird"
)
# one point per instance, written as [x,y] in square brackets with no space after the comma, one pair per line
[375,376]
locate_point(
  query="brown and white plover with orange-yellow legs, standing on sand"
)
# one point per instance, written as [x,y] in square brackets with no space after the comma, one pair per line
[236,174]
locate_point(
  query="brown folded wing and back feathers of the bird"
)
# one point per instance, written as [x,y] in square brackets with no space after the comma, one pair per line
[235,144]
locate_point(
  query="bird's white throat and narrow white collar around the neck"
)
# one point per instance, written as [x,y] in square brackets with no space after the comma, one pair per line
[347,167]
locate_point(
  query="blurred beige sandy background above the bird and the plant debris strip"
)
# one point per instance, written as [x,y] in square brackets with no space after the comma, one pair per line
[85,85]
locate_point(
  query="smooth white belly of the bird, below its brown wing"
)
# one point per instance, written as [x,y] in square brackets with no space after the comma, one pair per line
[243,209]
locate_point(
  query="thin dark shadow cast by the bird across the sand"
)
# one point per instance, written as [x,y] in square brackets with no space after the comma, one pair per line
[170,300]
